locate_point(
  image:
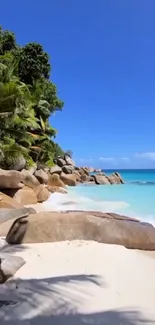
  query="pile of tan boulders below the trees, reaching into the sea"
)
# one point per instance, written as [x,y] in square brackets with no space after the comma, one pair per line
[33,186]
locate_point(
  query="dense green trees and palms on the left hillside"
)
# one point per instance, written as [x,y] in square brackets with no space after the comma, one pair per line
[27,99]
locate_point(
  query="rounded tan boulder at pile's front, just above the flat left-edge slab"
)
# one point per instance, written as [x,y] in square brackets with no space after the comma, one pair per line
[26,195]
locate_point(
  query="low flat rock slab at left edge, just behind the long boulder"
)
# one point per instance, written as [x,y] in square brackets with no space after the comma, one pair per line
[7,214]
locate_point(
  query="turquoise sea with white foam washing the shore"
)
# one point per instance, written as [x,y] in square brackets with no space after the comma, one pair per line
[136,198]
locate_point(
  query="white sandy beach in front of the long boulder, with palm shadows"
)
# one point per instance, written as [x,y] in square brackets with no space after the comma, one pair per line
[75,283]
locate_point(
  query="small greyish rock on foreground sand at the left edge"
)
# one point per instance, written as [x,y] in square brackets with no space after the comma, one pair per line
[9,265]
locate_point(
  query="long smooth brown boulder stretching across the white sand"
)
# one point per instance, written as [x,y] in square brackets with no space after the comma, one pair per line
[74,225]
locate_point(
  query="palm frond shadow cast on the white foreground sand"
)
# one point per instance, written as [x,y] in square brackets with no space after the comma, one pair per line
[59,300]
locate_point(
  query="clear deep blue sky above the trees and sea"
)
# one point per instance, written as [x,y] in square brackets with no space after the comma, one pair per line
[103,62]
